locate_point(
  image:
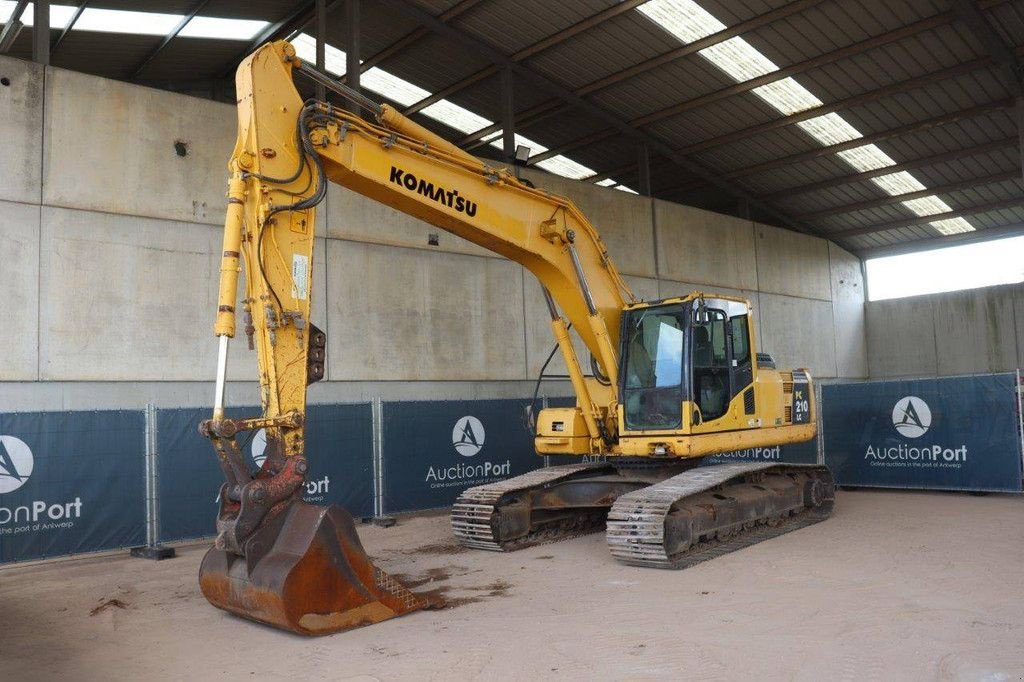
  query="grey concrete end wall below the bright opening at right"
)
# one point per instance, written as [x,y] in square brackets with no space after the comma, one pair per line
[966,332]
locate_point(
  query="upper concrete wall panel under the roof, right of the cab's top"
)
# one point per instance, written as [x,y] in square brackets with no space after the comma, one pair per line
[792,264]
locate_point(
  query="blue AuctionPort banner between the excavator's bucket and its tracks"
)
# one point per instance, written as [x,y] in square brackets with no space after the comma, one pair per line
[434,451]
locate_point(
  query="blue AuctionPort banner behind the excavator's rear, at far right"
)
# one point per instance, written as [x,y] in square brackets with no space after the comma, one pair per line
[955,435]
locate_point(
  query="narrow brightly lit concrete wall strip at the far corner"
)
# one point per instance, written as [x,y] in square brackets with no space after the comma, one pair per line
[848,313]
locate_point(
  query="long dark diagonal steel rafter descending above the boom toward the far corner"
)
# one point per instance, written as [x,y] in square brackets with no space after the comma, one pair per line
[529,76]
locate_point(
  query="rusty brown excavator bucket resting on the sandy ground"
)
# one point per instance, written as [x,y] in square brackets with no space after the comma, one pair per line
[306,572]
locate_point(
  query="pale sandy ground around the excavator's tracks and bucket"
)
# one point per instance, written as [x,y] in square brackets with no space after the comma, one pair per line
[894,586]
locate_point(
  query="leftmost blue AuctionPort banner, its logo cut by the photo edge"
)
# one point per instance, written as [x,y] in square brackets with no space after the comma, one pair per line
[71,483]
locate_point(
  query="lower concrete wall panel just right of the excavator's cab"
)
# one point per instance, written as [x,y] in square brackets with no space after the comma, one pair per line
[799,333]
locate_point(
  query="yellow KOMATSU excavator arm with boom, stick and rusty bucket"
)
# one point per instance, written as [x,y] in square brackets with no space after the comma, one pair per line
[277,560]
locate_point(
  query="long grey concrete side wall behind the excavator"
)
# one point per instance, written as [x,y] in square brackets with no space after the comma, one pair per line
[109,245]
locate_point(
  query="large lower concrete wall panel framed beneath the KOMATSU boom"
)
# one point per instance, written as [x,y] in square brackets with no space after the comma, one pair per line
[411,315]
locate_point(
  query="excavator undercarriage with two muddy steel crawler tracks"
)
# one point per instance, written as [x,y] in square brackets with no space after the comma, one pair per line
[658,515]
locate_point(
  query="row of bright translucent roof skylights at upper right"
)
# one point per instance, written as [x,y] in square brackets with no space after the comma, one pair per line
[689,22]
